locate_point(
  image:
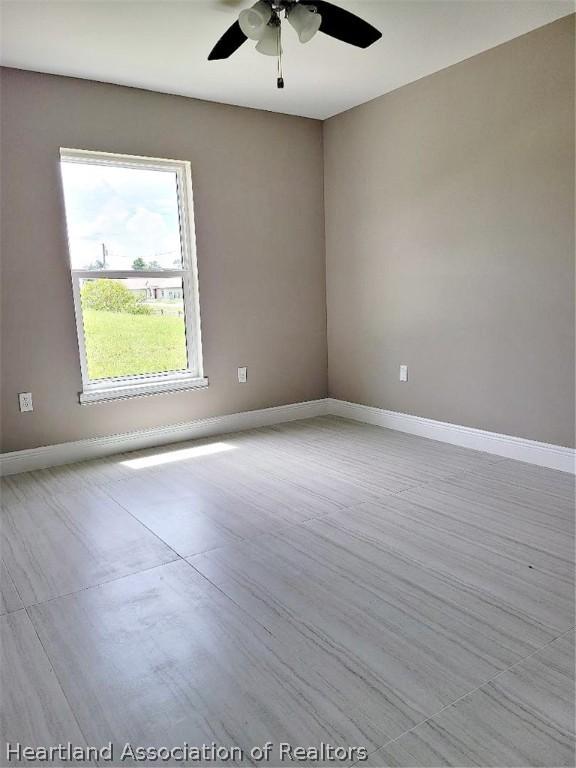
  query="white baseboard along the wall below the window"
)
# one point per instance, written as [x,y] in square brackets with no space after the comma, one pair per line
[97,447]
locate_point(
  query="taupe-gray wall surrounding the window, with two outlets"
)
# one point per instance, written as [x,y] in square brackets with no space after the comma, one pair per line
[258,198]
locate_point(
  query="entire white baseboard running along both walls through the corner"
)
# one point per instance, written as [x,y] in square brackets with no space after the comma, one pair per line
[543,454]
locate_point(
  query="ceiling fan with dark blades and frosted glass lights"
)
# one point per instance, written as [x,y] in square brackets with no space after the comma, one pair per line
[262,23]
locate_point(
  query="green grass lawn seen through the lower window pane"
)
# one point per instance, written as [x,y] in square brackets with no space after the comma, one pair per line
[120,344]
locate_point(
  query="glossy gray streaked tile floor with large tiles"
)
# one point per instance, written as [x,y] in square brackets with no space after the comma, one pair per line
[319,581]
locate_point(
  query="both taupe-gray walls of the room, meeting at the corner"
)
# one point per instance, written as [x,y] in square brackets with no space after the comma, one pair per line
[449,228]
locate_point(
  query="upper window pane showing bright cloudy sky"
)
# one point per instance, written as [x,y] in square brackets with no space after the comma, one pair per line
[121,218]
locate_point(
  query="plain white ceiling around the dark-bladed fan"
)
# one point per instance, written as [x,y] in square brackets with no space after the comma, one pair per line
[162,45]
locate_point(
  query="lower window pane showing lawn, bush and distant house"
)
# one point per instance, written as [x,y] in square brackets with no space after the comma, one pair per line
[133,326]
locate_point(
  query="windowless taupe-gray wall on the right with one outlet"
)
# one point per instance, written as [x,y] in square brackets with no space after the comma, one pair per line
[450,242]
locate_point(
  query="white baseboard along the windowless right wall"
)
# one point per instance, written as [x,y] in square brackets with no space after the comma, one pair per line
[519,448]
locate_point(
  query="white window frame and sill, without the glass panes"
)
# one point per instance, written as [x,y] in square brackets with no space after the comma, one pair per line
[146,384]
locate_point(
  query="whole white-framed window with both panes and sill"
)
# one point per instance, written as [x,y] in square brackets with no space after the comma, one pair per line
[133,263]
